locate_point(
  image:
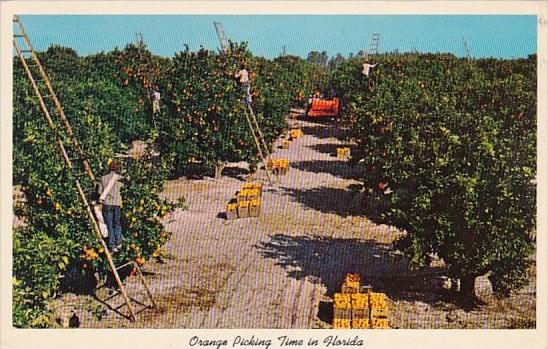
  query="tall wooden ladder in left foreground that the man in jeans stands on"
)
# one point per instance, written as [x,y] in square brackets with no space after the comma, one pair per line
[73,155]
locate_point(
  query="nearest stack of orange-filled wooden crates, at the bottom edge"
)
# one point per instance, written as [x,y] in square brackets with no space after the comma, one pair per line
[357,310]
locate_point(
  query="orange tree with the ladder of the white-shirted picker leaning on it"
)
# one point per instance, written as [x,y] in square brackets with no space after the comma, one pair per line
[204,119]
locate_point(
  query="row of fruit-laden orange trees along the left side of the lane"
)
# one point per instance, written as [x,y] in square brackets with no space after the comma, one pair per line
[106,97]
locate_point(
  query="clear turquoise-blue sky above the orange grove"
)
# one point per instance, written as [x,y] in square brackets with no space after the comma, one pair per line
[487,36]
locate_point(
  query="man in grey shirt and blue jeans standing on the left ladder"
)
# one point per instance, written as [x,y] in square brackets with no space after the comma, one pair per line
[112,203]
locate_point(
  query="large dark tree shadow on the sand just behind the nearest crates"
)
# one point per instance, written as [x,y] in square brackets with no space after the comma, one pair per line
[326,260]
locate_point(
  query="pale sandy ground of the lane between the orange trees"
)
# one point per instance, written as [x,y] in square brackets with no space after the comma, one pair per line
[280,270]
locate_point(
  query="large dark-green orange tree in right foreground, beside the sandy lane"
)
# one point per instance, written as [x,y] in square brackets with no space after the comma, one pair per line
[456,145]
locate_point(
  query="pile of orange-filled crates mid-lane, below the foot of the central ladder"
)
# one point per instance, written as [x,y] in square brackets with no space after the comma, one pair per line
[247,203]
